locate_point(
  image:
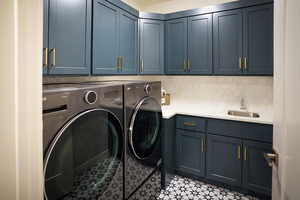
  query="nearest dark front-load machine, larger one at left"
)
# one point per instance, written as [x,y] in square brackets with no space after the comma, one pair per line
[83,141]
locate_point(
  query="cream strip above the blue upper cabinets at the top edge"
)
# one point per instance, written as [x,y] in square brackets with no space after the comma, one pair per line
[165,6]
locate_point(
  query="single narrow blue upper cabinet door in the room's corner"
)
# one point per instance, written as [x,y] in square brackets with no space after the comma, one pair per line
[151,46]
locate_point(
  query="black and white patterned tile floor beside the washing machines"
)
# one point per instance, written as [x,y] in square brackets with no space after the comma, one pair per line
[186,189]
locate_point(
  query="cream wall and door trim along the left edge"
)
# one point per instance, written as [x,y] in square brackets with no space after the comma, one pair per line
[21,100]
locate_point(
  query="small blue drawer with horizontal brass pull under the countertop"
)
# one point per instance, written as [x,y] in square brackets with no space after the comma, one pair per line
[191,123]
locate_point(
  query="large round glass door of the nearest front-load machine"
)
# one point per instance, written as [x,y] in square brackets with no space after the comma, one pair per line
[85,157]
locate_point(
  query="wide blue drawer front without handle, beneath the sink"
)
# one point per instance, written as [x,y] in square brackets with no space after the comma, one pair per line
[244,130]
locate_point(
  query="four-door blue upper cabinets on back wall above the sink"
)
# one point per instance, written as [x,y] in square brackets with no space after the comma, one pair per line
[232,42]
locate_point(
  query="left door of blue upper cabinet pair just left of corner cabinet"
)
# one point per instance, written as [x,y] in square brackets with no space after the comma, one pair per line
[105,38]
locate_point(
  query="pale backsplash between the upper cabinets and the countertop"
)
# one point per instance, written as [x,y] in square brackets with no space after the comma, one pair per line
[217,92]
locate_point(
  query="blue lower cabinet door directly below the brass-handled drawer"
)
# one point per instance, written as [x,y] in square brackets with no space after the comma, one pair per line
[190,156]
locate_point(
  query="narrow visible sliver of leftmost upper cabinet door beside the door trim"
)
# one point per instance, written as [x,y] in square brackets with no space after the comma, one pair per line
[45,37]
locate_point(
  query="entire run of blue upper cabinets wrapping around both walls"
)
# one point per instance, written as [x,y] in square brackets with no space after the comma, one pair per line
[98,37]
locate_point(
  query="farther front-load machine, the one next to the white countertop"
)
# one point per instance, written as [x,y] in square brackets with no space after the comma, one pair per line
[142,122]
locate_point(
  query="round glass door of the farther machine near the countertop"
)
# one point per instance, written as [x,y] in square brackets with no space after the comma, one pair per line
[144,129]
